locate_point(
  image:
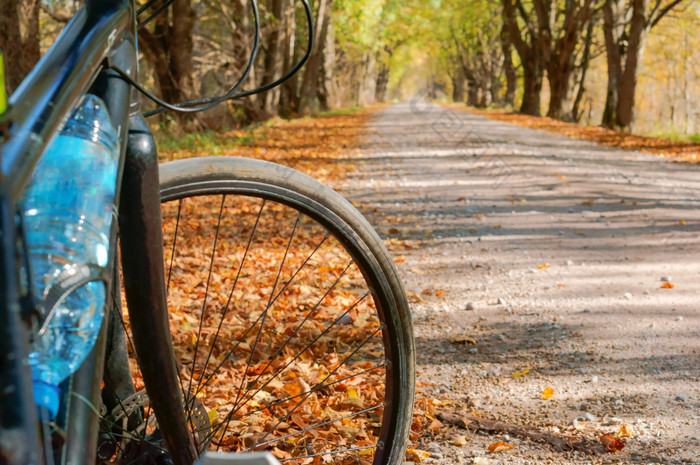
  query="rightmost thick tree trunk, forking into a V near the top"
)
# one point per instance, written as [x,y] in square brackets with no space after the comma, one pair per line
[626,24]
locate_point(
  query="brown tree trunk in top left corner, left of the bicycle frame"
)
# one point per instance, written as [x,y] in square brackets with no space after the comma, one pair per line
[19,39]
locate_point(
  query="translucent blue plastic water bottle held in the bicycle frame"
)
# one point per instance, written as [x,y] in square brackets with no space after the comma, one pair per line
[68,214]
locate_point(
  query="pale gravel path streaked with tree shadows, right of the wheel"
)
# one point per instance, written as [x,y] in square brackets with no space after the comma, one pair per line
[522,250]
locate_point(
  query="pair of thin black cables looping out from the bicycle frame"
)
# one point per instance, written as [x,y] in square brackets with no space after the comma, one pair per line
[193,106]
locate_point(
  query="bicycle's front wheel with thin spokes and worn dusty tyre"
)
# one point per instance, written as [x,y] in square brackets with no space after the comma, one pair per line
[290,327]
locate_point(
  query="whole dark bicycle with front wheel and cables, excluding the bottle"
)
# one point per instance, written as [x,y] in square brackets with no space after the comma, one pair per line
[323,288]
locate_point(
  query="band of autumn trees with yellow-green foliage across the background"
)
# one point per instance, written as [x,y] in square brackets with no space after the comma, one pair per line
[631,65]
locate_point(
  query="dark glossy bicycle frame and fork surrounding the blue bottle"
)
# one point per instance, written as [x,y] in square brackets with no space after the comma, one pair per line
[101,34]
